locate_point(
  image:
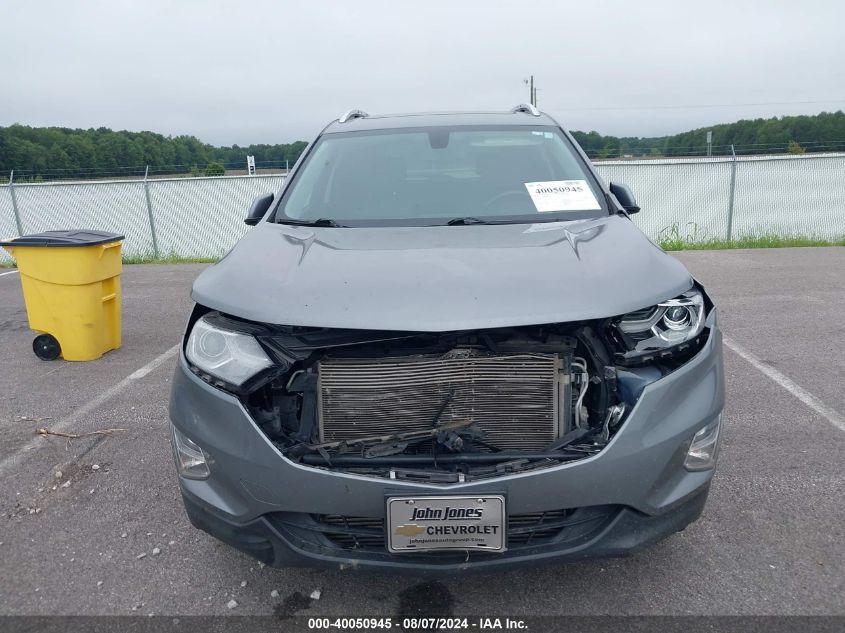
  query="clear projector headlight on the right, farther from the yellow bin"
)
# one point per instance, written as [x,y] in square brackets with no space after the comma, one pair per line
[667,325]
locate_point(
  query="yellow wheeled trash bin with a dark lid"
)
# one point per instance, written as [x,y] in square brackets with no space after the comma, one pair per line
[71,286]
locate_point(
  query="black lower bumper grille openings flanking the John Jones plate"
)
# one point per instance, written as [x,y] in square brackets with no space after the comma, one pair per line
[536,528]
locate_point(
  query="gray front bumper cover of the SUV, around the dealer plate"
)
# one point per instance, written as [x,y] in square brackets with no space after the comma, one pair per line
[634,492]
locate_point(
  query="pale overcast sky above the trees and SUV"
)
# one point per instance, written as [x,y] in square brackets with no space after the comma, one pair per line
[252,71]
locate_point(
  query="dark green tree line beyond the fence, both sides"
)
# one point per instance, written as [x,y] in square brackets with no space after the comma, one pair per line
[31,151]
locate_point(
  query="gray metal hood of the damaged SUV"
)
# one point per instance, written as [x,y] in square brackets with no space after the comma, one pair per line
[440,278]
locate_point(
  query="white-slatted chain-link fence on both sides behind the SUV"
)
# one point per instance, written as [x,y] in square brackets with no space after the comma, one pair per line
[701,199]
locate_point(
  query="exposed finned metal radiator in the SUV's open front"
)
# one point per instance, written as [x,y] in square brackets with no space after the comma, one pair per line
[513,398]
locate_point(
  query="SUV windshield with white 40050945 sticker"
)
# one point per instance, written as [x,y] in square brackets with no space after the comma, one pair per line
[430,176]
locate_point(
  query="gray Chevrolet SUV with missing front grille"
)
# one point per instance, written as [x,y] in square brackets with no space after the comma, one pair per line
[444,346]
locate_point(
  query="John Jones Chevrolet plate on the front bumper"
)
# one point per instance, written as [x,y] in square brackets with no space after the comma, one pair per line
[424,523]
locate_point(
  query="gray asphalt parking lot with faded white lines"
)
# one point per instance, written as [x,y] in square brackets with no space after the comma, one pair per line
[770,542]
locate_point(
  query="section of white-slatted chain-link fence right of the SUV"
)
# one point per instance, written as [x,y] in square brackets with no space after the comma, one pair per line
[726,198]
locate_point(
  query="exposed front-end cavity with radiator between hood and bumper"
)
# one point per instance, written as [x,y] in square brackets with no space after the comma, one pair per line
[442,407]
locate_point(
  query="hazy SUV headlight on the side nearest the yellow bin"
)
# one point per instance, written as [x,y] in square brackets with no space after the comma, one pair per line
[233,357]
